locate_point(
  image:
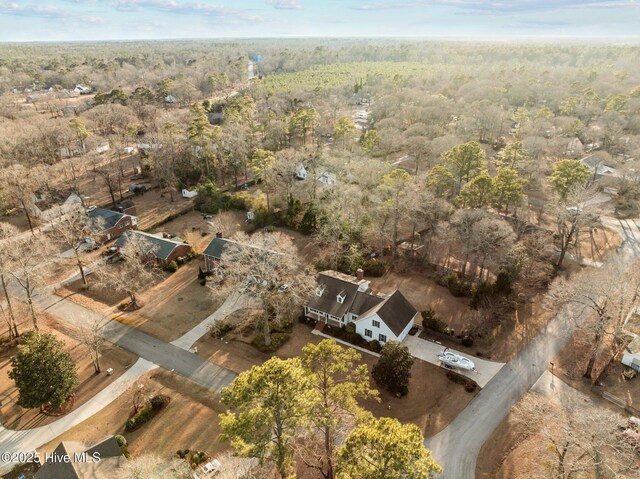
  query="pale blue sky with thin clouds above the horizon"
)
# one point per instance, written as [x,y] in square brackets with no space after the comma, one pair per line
[54,20]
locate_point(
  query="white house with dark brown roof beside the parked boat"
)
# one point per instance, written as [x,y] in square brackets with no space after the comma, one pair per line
[340,299]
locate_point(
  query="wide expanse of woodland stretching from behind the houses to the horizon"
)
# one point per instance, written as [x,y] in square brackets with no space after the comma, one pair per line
[419,142]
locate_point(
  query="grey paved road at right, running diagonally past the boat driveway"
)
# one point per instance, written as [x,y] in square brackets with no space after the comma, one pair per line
[457,447]
